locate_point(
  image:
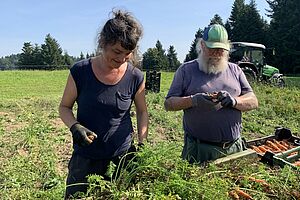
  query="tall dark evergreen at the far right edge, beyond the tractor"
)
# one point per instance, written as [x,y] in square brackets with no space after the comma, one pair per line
[284,34]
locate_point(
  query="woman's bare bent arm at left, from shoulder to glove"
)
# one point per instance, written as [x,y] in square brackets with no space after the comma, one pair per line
[67,102]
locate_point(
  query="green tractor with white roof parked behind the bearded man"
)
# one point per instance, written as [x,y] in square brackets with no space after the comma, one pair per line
[250,57]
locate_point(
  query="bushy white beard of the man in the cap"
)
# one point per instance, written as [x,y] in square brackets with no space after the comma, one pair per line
[212,65]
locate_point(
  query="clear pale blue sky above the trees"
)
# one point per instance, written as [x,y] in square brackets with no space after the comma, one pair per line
[75,24]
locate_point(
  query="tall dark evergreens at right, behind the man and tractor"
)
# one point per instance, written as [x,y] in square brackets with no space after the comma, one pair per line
[282,32]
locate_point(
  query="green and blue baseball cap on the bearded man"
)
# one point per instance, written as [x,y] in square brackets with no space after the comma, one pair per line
[215,36]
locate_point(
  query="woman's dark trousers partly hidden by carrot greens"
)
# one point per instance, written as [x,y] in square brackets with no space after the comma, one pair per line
[80,167]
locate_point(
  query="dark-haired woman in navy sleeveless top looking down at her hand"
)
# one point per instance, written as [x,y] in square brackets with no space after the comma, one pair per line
[104,88]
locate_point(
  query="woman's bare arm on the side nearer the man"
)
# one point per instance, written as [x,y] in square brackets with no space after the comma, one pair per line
[141,113]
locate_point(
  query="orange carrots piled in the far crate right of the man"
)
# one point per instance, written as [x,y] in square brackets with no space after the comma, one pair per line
[273,146]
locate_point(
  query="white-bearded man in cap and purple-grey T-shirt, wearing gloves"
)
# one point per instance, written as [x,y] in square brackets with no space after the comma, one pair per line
[212,94]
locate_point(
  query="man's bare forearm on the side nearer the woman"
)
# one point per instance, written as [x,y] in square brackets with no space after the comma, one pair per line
[178,103]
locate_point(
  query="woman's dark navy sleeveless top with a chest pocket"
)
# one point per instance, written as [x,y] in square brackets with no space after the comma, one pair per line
[105,109]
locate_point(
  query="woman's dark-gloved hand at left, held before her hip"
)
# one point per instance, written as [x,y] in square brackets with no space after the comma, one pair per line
[81,135]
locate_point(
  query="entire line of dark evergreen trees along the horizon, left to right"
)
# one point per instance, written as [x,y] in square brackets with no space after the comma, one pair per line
[243,25]
